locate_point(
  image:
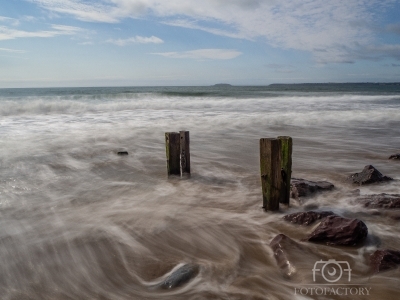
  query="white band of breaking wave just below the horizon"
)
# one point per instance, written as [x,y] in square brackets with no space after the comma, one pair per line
[81,104]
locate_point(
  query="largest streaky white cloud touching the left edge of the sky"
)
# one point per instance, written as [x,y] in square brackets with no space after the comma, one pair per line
[10,34]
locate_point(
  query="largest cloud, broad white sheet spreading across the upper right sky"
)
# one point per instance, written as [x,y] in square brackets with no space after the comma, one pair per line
[307,25]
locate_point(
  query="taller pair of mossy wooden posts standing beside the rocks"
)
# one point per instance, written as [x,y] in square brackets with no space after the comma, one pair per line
[276,169]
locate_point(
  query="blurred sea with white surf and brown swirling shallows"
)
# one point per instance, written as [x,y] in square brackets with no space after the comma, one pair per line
[79,221]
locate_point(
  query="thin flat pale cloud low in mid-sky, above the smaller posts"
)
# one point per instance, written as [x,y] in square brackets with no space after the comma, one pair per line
[203,54]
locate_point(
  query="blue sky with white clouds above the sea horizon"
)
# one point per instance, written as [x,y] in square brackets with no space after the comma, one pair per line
[57,43]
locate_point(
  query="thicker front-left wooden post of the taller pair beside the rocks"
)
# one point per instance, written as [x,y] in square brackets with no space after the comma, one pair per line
[270,166]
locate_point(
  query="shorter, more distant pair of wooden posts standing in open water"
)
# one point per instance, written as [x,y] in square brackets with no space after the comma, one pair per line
[178,153]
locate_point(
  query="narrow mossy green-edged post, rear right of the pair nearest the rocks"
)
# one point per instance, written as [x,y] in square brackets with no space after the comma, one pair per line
[286,167]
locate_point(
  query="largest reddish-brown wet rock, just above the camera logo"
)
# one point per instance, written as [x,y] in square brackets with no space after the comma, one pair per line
[335,230]
